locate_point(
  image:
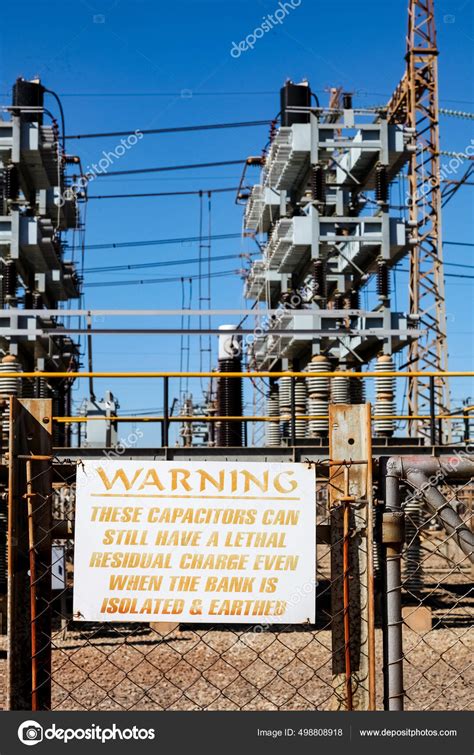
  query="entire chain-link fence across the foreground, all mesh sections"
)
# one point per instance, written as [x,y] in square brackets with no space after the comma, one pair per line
[165,666]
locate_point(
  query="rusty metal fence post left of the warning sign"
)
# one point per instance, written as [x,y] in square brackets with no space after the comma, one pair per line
[29,540]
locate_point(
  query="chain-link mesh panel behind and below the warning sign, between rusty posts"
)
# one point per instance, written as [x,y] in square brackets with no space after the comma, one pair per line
[126,666]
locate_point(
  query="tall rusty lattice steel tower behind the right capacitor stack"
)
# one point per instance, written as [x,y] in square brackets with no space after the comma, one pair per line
[415,103]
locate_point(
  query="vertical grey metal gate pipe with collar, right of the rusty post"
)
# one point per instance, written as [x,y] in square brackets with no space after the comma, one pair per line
[394,692]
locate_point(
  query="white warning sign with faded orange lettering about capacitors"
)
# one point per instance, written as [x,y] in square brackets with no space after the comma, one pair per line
[195,542]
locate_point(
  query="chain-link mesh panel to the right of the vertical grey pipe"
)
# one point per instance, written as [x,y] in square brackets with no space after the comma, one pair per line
[437,605]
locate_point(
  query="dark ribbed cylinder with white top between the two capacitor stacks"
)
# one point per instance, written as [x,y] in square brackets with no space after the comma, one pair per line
[229,390]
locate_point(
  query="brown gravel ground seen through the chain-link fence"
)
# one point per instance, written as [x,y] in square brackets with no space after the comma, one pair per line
[225,670]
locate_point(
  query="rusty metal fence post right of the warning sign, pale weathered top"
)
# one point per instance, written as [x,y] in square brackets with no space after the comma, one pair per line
[350,451]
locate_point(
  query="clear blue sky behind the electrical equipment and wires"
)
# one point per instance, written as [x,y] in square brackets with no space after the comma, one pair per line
[103,58]
